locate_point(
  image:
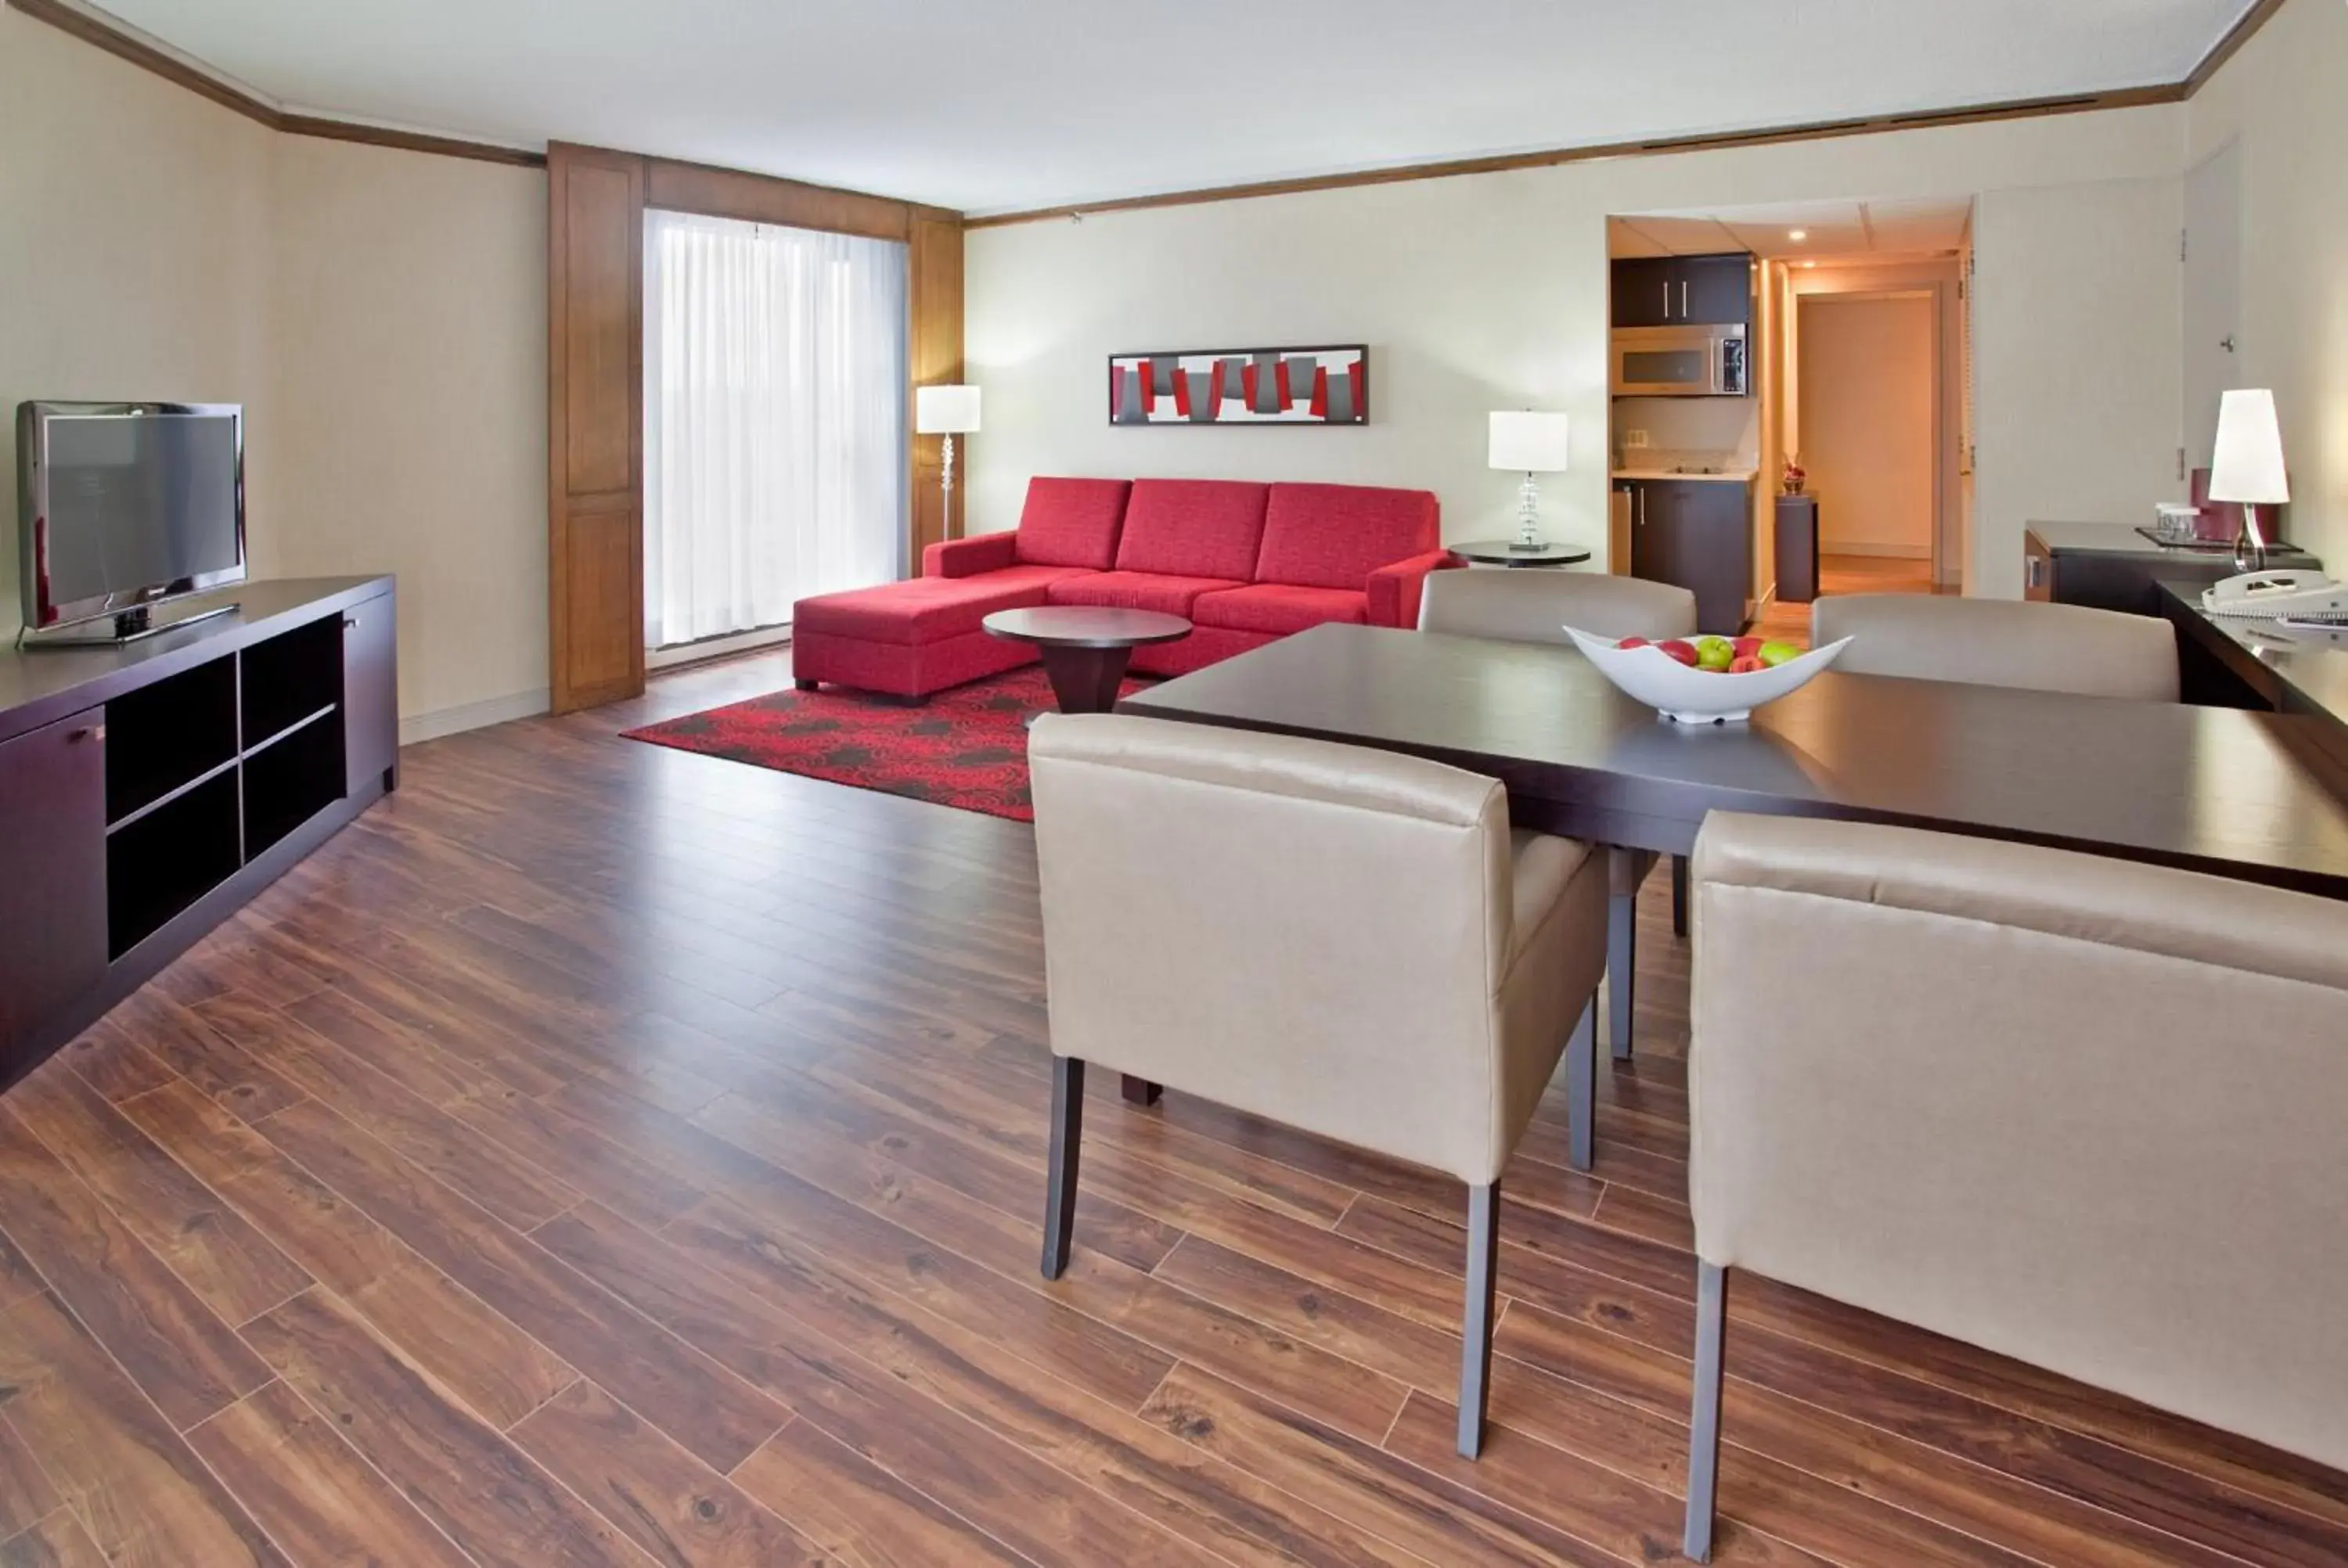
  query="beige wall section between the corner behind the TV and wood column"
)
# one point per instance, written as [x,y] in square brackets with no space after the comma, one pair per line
[410,426]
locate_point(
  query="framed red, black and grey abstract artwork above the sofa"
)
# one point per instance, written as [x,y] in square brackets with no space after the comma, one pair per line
[1253,386]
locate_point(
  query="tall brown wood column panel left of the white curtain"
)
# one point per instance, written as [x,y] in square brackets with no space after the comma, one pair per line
[595,426]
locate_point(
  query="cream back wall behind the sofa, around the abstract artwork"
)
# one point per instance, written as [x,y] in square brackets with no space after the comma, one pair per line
[1490,292]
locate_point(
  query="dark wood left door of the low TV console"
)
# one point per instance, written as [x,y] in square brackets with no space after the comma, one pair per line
[53,860]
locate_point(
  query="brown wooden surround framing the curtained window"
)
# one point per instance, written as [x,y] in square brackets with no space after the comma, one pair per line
[581,673]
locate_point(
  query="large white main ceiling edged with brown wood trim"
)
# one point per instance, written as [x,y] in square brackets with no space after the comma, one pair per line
[1008,104]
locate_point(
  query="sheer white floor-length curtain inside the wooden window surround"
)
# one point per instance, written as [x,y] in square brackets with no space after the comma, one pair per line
[774,421]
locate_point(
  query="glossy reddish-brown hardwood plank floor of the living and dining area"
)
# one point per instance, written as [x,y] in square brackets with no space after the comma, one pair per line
[616,1156]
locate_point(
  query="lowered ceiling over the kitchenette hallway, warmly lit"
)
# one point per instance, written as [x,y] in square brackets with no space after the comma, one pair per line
[1830,231]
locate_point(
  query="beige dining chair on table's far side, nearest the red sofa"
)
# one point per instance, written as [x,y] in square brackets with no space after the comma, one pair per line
[1537,607]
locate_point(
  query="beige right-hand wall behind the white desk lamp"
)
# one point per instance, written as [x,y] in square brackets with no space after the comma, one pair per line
[2281,97]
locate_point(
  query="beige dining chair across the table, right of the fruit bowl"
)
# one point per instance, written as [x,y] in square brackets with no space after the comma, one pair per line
[2002,642]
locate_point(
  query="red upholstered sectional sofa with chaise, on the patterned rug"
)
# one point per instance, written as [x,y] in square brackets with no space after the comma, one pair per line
[1246,562]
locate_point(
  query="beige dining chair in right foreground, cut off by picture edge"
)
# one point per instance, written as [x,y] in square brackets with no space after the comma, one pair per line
[2070,1109]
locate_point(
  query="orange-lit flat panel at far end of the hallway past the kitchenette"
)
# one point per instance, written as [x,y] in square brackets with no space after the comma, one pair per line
[1868,421]
